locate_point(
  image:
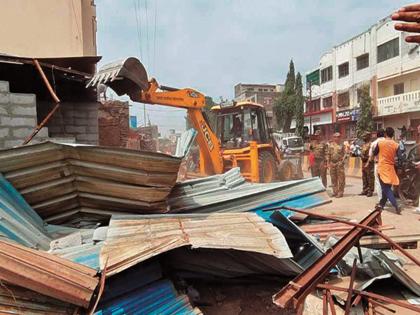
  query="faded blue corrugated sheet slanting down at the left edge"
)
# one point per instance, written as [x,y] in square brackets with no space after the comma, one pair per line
[18,221]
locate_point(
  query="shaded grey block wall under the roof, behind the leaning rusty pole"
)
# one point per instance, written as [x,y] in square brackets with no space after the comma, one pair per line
[73,120]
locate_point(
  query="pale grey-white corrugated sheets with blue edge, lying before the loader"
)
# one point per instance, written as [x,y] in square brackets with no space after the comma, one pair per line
[230,193]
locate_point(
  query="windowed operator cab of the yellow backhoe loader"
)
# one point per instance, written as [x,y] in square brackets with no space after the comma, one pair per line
[239,123]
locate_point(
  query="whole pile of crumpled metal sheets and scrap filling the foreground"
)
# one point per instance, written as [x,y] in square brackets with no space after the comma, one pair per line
[88,229]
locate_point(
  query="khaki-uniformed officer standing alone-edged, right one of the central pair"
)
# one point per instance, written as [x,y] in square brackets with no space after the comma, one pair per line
[336,158]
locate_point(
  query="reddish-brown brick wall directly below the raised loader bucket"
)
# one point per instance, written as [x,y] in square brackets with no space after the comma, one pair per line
[113,123]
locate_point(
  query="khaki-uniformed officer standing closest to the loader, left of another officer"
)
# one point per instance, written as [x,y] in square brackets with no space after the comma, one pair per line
[320,151]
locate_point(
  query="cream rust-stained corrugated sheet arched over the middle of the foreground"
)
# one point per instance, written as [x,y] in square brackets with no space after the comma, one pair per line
[133,239]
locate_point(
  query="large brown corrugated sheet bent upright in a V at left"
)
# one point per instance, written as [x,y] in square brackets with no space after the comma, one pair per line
[59,180]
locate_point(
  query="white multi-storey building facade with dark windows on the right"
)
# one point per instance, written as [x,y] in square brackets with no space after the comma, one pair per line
[379,58]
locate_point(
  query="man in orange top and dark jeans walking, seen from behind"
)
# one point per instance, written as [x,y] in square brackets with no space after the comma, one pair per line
[387,150]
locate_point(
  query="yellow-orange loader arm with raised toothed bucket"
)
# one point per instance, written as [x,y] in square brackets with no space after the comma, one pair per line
[129,77]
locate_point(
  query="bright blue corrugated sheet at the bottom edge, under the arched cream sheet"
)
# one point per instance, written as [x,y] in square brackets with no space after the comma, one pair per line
[158,298]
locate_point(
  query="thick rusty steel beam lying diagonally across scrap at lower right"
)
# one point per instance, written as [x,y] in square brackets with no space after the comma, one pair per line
[297,290]
